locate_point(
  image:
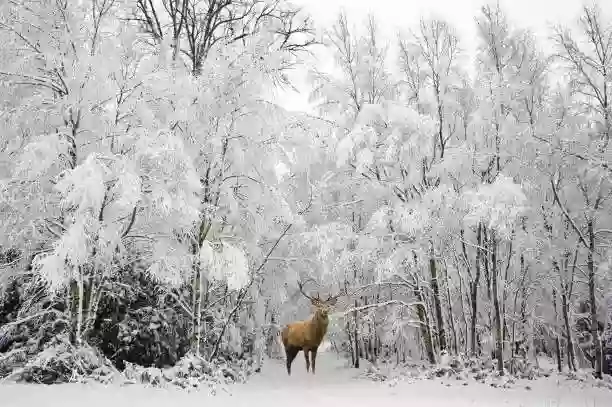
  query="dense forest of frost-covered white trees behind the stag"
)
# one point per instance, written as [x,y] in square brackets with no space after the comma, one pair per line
[160,212]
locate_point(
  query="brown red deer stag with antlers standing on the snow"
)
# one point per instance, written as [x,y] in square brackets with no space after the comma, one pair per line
[307,335]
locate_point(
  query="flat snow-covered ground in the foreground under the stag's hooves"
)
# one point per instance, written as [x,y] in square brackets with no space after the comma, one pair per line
[333,385]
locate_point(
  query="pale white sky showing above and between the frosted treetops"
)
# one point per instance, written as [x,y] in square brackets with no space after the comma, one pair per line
[401,14]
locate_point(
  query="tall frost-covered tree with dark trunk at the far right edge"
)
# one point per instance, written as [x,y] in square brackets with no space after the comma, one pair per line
[582,181]
